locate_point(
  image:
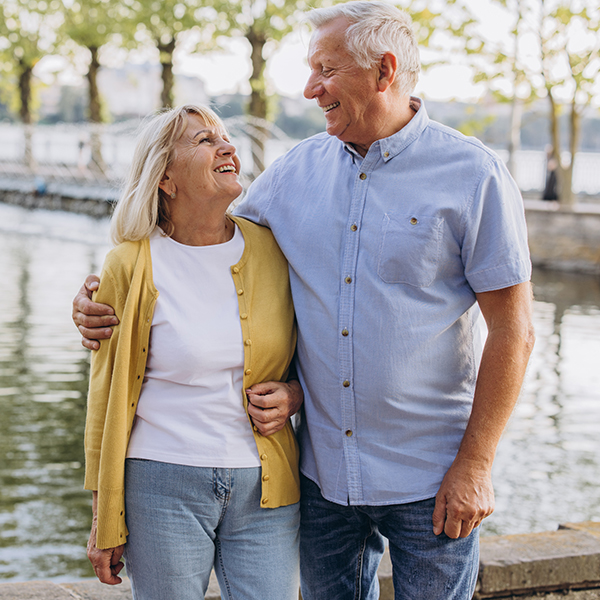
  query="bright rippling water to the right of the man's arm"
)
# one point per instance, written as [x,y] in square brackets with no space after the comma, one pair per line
[548,463]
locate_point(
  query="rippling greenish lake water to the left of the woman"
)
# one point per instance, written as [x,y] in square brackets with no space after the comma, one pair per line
[43,370]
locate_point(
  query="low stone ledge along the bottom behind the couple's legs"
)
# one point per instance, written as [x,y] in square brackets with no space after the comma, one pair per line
[556,565]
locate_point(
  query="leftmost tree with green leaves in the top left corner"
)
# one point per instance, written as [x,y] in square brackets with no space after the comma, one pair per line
[28,31]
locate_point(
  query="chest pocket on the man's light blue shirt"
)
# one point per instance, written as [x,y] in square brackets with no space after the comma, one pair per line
[410,249]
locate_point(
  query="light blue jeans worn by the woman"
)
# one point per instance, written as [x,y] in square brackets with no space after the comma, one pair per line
[184,520]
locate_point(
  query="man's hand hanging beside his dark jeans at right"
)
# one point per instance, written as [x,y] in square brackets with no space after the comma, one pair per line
[464,499]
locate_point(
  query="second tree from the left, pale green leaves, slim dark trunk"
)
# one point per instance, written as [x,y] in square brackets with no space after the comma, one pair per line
[93,24]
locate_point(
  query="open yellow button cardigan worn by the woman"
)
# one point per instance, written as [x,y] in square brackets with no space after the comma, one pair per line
[117,370]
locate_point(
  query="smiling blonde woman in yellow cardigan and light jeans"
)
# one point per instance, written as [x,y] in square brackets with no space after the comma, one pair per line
[182,480]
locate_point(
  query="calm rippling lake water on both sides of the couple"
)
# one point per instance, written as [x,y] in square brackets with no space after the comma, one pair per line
[547,468]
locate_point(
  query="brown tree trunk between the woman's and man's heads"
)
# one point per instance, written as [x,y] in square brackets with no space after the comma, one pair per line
[257,106]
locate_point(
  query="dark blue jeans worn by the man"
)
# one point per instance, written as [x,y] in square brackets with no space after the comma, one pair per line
[341,547]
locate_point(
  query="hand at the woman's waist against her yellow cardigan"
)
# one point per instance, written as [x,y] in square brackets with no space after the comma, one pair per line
[272,403]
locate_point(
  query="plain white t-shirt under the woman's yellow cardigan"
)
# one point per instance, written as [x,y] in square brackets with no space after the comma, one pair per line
[190,409]
